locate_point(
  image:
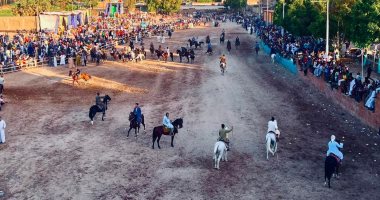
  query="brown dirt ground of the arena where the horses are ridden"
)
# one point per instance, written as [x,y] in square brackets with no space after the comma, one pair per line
[53,152]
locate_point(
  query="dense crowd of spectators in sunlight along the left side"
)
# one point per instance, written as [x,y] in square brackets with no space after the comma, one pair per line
[97,40]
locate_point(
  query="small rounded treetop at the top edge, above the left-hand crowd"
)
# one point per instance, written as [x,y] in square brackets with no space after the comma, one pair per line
[165,6]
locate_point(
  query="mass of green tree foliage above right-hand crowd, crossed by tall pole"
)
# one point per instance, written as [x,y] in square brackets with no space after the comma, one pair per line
[356,20]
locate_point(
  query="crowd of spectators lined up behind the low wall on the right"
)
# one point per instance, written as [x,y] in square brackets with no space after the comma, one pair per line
[308,54]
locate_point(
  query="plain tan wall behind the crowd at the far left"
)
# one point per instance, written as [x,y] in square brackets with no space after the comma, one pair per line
[11,24]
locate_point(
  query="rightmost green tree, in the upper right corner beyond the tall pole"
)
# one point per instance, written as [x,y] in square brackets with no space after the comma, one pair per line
[363,22]
